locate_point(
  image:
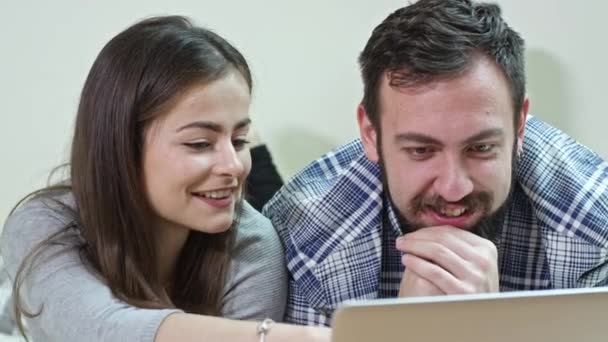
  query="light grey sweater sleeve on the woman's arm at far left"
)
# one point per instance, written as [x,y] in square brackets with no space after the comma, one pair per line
[74,303]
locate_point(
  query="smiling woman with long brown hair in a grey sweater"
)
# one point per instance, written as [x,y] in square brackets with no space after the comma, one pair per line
[149,239]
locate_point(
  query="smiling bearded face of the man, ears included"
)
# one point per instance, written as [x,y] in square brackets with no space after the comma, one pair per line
[446,147]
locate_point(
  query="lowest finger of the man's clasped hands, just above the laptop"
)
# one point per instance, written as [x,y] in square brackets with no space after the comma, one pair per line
[434,274]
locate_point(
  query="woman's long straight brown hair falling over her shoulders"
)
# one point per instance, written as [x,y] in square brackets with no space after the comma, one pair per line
[135,77]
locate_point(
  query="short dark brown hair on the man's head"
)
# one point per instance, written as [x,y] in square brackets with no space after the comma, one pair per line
[436,38]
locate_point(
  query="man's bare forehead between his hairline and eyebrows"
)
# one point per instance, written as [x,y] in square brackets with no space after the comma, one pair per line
[451,107]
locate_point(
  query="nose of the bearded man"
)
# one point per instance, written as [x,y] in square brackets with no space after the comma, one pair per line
[453,181]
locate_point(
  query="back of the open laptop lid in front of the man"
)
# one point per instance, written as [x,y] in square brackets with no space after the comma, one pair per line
[537,316]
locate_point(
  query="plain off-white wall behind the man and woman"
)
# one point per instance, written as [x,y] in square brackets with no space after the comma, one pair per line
[303,55]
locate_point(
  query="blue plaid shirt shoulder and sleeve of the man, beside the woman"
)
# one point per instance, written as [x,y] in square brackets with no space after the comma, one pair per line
[329,217]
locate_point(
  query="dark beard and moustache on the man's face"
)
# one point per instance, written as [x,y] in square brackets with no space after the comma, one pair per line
[488,225]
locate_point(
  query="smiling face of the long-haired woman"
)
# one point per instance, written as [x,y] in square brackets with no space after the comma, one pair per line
[196,159]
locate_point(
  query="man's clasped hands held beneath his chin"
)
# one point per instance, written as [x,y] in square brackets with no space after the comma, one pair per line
[447,260]
